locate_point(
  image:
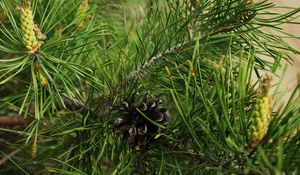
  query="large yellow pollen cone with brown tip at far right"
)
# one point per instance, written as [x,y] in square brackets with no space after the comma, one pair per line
[261,114]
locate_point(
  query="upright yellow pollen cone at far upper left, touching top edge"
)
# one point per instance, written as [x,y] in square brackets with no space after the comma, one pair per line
[27,26]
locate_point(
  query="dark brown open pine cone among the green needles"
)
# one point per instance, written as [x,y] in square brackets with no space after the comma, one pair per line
[140,122]
